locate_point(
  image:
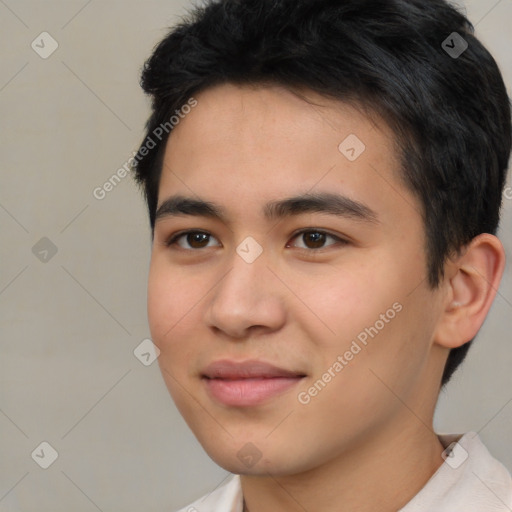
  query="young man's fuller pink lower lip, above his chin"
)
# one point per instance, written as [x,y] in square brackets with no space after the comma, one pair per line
[248,392]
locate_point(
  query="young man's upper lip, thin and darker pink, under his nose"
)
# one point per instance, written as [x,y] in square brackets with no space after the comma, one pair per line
[250,369]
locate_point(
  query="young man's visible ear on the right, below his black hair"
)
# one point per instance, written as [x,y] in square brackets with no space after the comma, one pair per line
[472,280]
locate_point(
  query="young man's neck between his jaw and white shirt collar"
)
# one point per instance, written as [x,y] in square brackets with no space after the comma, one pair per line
[383,473]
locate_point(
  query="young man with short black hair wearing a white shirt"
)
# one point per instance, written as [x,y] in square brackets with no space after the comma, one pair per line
[324,181]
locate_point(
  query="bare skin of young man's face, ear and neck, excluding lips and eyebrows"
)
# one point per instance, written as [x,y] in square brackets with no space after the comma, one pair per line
[366,439]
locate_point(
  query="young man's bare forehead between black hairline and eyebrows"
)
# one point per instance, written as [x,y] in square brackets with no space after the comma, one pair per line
[251,144]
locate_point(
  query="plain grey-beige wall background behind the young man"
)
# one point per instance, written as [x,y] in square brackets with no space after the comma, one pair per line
[71,320]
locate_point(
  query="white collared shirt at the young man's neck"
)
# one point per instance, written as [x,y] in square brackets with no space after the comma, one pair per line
[470,480]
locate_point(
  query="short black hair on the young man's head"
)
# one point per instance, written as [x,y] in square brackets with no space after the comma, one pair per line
[404,60]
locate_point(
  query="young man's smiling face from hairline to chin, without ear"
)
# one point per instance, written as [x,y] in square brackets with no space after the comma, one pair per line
[292,309]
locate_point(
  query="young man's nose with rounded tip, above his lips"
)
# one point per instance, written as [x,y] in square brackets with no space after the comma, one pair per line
[248,298]
